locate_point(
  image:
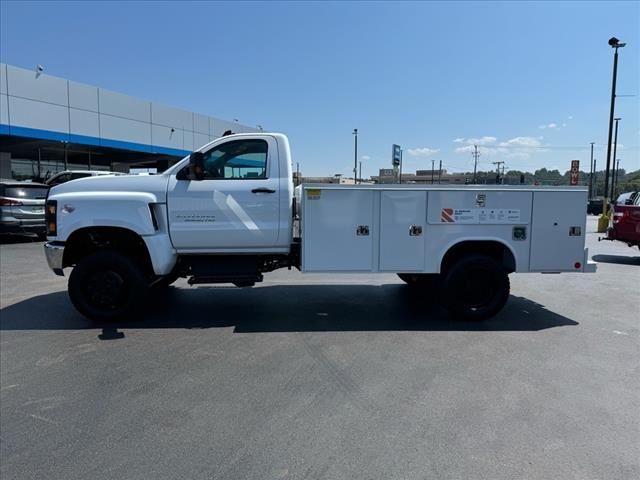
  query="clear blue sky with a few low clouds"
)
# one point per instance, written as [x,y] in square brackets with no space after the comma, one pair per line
[528,82]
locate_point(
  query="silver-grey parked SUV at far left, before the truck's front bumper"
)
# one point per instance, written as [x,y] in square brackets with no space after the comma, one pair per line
[22,207]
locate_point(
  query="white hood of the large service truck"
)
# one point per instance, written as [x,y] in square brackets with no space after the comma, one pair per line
[153,184]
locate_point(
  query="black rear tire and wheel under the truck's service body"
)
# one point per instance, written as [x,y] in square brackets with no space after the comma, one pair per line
[476,287]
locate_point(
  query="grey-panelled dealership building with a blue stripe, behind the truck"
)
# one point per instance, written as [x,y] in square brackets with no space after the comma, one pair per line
[49,124]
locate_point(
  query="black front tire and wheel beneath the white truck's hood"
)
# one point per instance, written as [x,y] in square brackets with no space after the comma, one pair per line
[107,286]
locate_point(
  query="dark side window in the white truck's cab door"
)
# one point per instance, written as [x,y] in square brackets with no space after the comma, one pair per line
[237,160]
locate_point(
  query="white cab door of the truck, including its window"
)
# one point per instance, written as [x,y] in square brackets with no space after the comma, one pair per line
[235,206]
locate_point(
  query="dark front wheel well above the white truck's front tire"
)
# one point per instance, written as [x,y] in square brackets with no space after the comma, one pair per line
[88,240]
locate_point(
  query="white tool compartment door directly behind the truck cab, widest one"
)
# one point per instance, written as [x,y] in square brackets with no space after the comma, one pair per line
[338,230]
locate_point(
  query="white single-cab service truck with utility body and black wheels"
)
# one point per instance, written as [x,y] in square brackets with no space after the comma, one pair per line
[228,213]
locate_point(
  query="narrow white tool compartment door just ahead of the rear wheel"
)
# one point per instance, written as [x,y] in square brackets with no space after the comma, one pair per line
[403,218]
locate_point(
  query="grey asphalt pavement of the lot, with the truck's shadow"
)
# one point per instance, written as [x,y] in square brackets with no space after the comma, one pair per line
[323,377]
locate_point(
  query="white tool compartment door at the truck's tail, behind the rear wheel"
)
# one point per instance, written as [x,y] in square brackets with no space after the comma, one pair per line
[558,231]
